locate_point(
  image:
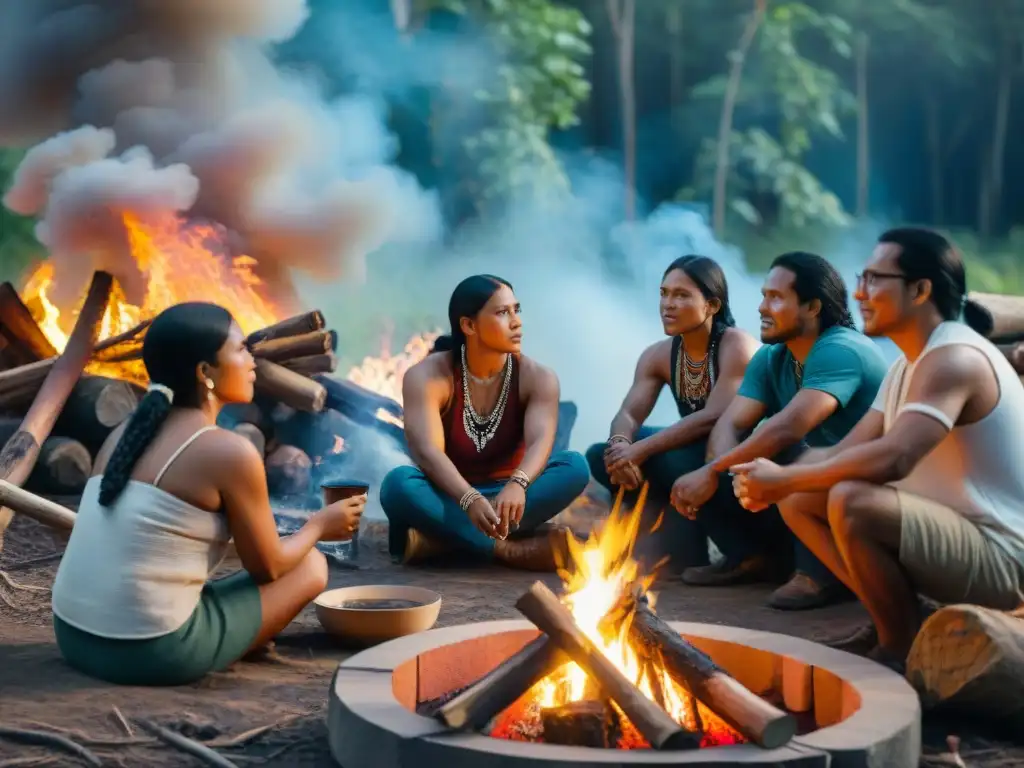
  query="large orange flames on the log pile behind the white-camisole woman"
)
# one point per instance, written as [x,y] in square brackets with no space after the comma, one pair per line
[182,262]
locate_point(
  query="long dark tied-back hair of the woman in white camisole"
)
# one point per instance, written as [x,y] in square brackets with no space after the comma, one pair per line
[180,339]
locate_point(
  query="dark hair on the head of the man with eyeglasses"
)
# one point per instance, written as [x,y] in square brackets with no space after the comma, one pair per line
[924,254]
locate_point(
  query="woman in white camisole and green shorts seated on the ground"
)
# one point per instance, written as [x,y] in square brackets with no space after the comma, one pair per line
[133,604]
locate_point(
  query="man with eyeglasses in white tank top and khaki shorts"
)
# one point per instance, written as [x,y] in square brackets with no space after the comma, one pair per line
[926,495]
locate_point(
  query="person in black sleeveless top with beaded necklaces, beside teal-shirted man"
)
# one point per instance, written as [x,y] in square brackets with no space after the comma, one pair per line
[703,365]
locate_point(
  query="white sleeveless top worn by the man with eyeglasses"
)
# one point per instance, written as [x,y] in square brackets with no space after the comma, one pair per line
[977,470]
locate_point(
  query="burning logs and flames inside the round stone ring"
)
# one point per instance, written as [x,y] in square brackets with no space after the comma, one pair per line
[607,671]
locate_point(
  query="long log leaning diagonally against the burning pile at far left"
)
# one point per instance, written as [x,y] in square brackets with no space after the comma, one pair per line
[20,453]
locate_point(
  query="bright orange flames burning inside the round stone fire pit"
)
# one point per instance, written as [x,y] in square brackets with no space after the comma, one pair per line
[601,572]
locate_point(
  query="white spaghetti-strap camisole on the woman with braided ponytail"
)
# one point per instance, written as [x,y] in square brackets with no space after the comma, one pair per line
[136,571]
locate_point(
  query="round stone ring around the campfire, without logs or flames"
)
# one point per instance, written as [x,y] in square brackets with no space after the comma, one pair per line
[868,716]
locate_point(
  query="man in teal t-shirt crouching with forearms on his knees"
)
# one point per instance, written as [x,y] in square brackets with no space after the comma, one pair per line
[808,388]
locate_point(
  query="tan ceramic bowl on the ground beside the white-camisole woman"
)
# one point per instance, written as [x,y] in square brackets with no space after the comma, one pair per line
[369,626]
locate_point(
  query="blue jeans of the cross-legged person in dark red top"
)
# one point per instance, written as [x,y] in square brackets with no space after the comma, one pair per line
[411,501]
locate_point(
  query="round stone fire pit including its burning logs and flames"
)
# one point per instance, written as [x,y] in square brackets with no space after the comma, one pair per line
[599,678]
